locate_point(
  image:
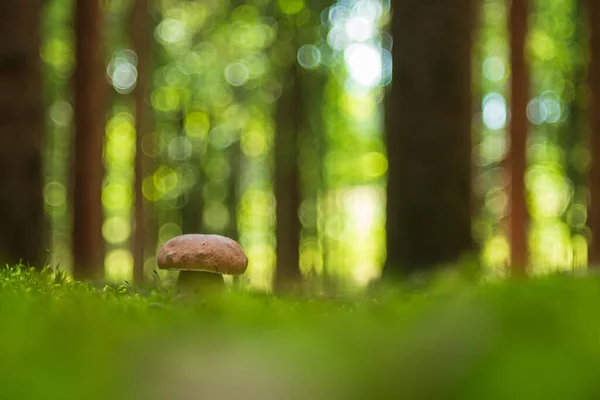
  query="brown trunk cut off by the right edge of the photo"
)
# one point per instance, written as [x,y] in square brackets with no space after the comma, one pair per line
[594,83]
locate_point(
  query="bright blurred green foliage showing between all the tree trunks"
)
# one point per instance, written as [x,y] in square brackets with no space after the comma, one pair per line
[218,70]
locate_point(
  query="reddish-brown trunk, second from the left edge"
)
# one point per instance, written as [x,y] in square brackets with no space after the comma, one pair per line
[90,85]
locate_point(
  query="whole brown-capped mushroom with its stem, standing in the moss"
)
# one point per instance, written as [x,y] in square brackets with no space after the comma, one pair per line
[202,260]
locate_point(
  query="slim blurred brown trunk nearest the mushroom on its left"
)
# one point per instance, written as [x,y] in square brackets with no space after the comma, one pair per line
[142,42]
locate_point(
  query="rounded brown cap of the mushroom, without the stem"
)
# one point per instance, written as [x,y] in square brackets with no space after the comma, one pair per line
[196,252]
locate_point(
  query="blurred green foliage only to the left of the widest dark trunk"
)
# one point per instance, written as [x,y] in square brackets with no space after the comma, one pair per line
[218,70]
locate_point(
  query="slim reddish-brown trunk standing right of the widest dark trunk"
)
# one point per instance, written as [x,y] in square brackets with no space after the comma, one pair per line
[518,218]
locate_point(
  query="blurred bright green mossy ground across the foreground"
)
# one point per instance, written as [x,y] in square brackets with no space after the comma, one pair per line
[67,340]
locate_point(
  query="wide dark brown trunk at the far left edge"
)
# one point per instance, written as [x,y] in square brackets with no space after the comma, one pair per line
[21,133]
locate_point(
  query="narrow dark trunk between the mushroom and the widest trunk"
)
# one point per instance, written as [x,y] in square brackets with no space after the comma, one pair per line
[287,182]
